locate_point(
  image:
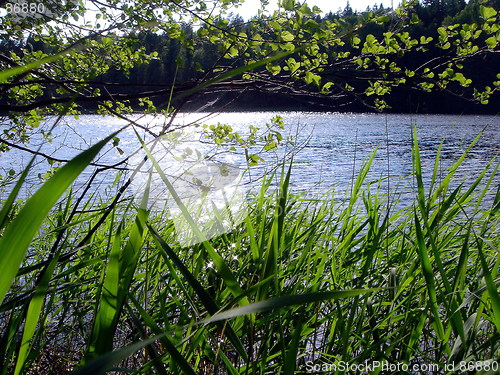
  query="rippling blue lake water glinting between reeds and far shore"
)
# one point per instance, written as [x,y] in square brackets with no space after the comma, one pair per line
[330,146]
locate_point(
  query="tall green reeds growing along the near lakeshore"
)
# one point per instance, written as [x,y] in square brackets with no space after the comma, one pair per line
[299,280]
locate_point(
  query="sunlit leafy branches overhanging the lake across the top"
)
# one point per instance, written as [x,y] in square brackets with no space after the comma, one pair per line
[137,56]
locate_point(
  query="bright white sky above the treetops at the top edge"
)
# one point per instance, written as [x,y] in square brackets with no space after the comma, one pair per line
[250,7]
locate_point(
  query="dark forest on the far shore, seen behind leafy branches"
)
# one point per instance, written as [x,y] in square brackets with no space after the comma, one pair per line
[181,57]
